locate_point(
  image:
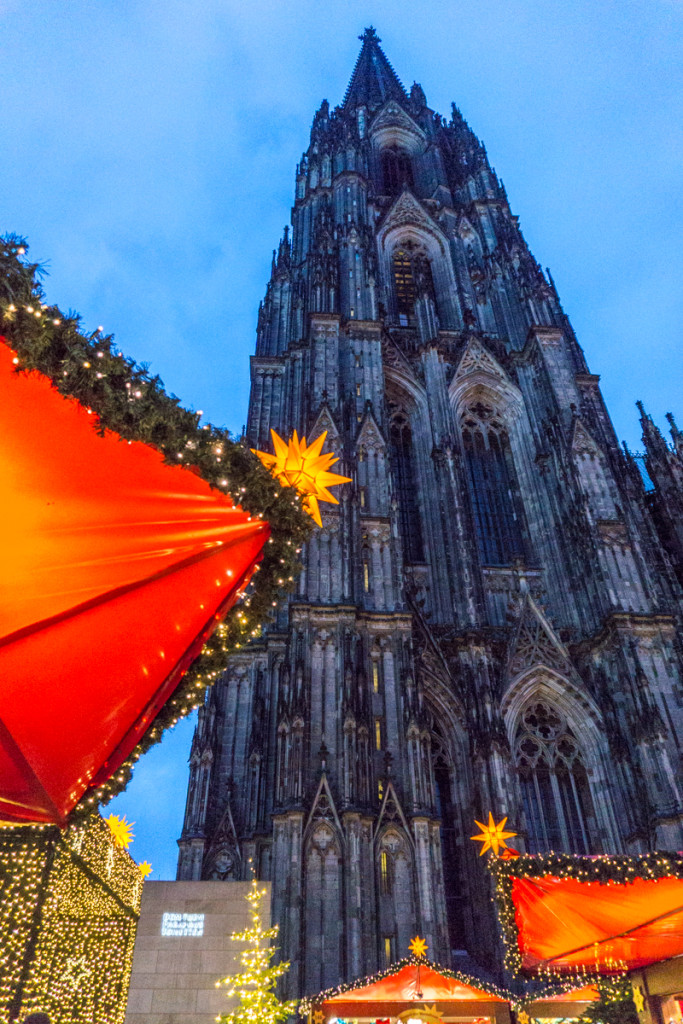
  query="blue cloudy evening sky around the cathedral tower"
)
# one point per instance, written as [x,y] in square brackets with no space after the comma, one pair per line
[149,151]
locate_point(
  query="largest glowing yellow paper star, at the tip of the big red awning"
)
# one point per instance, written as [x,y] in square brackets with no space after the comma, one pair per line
[304,467]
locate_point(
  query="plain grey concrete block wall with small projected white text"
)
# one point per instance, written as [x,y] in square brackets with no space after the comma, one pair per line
[175,976]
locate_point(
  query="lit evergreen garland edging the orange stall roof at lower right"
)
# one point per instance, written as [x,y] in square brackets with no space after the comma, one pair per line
[605,870]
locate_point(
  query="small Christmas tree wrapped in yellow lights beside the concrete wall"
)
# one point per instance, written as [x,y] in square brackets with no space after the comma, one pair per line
[254,986]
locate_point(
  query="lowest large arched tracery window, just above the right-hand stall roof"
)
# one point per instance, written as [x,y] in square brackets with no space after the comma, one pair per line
[556,789]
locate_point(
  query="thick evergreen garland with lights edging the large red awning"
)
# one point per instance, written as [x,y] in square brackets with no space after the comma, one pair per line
[125,399]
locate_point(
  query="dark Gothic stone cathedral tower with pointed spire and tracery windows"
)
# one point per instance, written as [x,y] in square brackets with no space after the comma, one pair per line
[489,619]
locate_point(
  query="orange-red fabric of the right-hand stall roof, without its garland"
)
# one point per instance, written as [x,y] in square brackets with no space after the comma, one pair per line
[569,923]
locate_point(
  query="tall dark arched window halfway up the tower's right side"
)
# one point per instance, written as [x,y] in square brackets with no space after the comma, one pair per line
[492,478]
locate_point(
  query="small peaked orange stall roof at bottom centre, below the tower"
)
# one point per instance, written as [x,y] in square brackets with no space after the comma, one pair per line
[412,986]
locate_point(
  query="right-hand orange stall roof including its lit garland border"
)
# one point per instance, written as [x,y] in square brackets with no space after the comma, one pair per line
[567,915]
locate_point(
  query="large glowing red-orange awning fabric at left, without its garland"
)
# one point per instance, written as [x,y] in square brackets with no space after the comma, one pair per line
[114,570]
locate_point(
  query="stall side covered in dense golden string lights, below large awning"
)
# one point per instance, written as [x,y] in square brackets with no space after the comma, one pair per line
[68,921]
